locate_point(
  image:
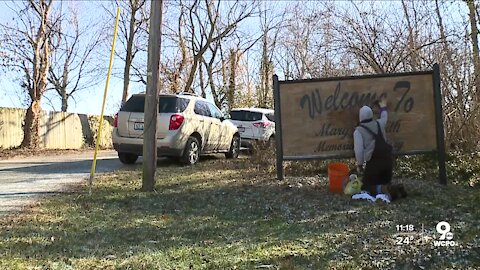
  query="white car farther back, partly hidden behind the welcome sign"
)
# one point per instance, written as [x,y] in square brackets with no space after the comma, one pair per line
[254,125]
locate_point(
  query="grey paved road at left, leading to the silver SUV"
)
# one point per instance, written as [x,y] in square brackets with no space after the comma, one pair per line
[22,180]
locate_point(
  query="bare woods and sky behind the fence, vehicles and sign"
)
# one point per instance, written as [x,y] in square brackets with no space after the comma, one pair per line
[229,50]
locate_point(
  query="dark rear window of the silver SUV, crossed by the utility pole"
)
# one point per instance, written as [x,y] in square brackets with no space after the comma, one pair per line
[166,104]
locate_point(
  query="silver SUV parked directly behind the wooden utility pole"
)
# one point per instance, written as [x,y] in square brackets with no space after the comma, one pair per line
[187,127]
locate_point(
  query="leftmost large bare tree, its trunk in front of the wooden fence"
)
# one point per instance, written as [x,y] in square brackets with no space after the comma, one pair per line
[27,46]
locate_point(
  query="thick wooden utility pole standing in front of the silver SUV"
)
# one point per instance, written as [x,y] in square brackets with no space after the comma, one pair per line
[151,97]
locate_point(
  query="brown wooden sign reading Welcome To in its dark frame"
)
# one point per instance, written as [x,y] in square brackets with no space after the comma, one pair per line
[316,118]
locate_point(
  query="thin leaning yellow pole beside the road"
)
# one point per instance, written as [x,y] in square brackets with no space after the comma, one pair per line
[99,131]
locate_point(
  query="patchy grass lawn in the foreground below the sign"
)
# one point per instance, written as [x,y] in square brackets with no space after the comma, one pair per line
[231,214]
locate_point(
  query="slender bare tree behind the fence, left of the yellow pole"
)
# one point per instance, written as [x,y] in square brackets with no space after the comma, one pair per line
[73,68]
